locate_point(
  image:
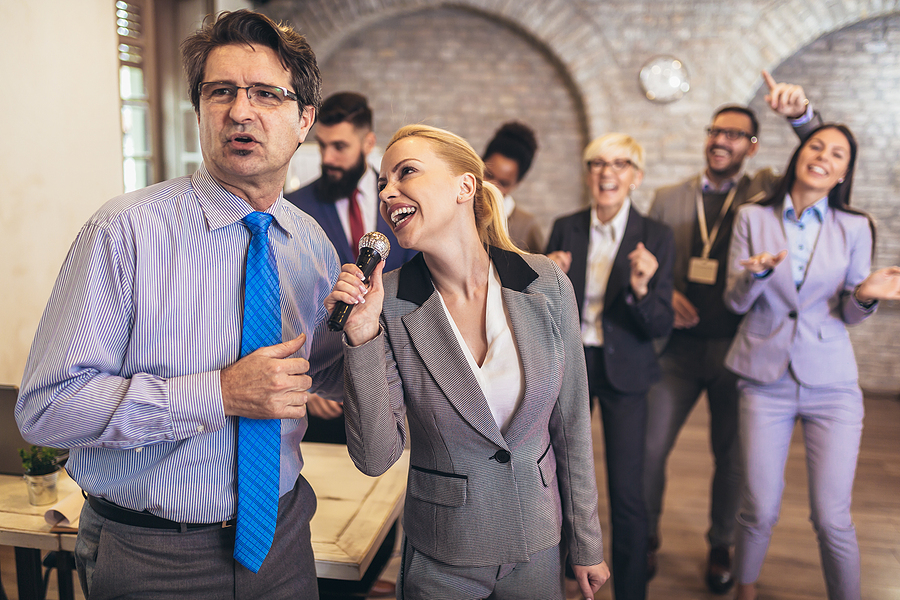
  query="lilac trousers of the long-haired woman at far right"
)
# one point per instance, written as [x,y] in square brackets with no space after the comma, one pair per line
[831,418]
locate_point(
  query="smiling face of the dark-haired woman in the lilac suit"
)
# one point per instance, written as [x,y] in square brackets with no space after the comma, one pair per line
[823,161]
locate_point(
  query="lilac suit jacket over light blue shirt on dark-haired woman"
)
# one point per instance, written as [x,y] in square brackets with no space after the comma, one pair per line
[803,328]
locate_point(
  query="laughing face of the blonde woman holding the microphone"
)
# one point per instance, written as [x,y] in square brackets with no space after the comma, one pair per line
[420,197]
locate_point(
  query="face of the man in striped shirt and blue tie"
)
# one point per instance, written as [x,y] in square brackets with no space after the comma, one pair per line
[247,147]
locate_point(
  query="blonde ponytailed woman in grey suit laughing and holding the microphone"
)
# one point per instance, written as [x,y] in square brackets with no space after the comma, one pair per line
[478,346]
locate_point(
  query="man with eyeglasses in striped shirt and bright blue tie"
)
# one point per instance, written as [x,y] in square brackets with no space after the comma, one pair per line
[155,365]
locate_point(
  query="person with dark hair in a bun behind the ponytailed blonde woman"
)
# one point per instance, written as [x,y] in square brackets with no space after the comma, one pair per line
[506,160]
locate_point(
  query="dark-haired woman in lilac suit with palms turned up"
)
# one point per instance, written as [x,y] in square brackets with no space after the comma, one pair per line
[799,268]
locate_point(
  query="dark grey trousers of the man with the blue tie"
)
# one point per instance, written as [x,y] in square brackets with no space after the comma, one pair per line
[122,561]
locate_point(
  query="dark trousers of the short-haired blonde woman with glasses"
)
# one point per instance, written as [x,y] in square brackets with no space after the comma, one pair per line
[624,419]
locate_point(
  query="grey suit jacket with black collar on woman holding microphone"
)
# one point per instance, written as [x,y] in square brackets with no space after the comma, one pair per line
[476,497]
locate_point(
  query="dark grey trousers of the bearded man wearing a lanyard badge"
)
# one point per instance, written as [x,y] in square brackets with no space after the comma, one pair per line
[690,366]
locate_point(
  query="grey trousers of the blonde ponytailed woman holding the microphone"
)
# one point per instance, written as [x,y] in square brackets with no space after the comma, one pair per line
[423,578]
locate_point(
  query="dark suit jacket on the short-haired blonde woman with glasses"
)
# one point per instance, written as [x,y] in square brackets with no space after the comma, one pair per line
[629,326]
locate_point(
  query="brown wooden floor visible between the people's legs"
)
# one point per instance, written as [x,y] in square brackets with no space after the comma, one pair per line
[792,570]
